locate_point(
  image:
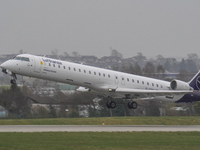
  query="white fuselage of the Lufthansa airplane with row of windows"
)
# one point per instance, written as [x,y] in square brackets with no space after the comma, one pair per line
[94,78]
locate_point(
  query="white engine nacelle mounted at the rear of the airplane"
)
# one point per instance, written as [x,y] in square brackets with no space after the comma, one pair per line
[179,85]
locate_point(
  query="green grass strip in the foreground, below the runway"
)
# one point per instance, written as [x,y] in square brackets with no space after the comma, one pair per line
[96,141]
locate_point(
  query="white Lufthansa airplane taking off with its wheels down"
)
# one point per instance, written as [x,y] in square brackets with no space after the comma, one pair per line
[112,84]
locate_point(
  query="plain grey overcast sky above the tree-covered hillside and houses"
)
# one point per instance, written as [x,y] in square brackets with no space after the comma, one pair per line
[94,27]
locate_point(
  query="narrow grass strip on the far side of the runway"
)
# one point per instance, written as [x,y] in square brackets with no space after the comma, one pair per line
[106,120]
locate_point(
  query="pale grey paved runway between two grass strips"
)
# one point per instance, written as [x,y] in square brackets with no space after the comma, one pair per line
[96,128]
